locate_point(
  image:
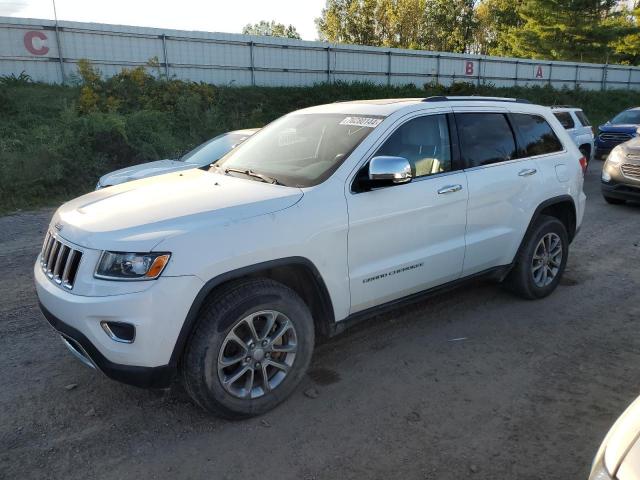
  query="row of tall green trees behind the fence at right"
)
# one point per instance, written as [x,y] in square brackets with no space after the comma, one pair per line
[579,30]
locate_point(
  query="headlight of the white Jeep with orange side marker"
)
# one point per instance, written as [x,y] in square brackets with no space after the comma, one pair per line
[131,266]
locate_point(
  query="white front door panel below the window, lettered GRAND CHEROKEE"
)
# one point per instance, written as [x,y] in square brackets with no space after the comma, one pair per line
[406,238]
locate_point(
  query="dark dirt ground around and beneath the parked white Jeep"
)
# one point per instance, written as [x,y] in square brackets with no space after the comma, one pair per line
[474,383]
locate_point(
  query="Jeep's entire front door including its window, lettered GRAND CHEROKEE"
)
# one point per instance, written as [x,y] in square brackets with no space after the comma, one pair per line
[406,238]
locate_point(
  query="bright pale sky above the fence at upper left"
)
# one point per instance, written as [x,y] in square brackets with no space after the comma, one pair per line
[206,15]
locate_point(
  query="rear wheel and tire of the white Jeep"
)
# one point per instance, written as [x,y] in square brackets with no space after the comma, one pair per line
[541,261]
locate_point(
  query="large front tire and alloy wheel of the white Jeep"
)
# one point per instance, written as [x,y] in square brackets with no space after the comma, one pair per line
[251,348]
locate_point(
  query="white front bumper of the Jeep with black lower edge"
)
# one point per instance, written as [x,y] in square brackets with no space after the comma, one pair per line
[157,313]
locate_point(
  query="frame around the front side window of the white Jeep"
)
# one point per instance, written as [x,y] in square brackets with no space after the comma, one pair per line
[457,165]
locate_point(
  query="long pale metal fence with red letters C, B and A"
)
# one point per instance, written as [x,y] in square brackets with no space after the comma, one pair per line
[50,54]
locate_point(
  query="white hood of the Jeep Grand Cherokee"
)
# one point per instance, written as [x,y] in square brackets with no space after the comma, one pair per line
[136,216]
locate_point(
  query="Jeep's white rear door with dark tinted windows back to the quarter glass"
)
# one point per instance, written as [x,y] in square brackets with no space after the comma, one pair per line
[504,181]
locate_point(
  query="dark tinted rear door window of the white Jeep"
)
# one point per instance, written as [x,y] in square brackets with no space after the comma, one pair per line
[485,138]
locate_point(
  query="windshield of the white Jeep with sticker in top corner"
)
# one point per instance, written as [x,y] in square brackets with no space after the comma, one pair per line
[300,150]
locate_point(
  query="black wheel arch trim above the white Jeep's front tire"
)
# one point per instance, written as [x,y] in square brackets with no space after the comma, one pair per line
[298,273]
